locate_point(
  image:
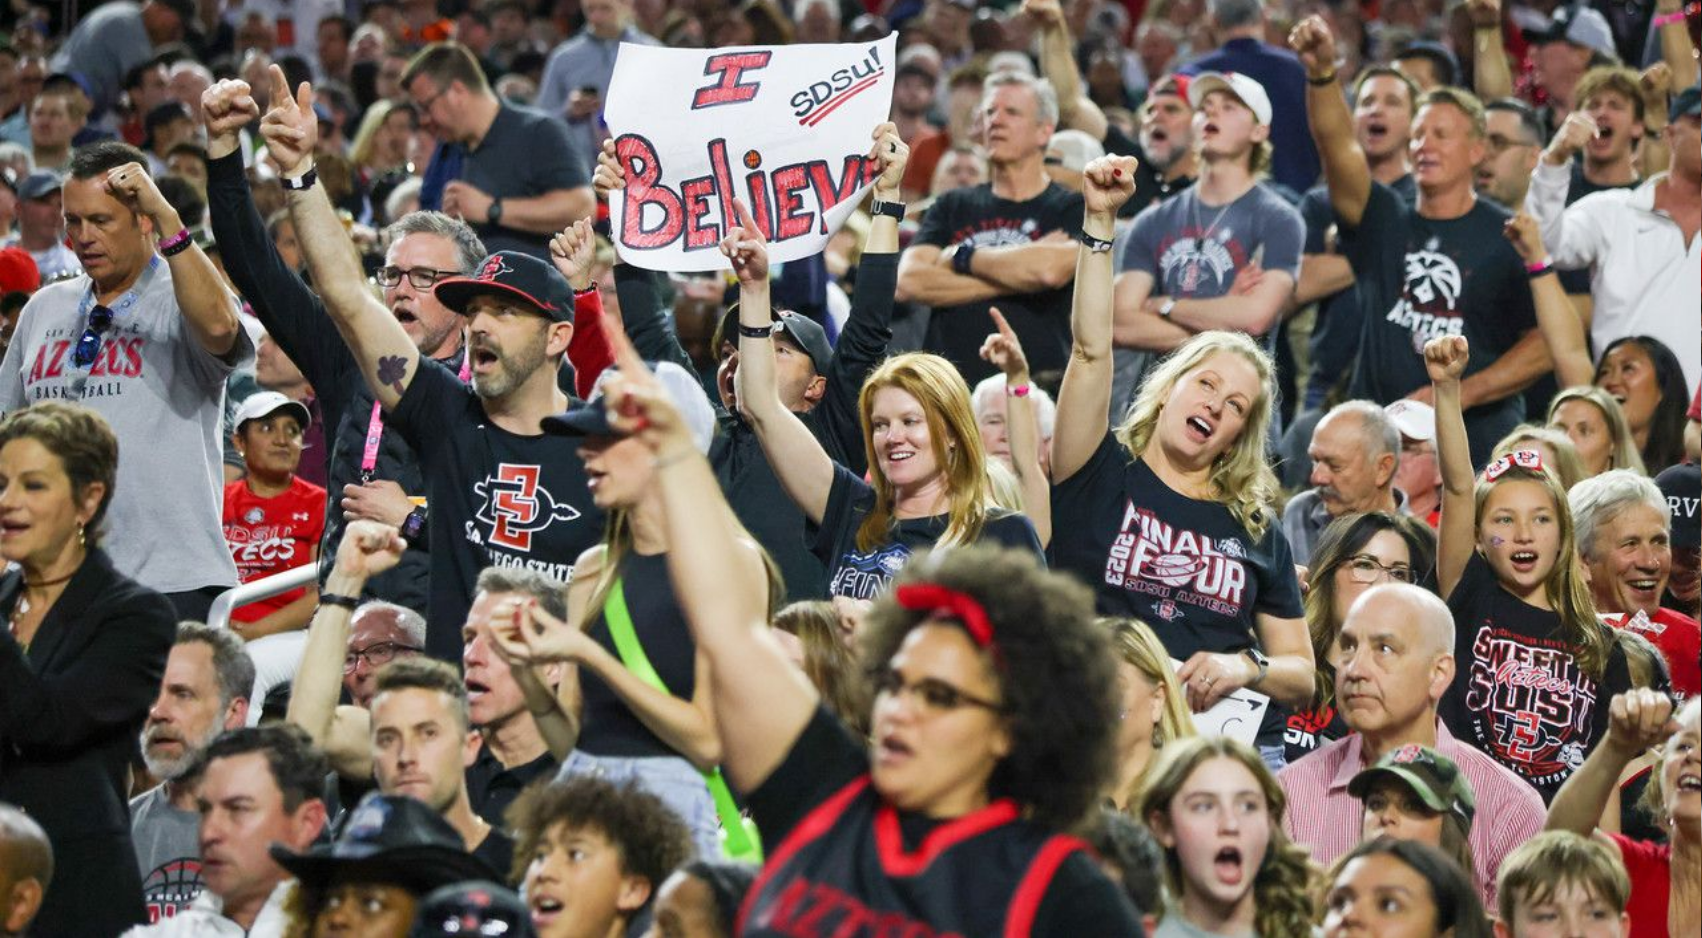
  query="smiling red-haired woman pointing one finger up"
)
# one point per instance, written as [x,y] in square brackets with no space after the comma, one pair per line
[928,471]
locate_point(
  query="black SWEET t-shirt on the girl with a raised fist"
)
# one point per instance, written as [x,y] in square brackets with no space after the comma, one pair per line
[1519,694]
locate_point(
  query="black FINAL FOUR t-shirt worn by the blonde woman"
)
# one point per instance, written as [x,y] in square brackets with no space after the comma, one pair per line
[1182,566]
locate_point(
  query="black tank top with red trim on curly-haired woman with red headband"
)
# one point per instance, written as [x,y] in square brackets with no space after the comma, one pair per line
[845,871]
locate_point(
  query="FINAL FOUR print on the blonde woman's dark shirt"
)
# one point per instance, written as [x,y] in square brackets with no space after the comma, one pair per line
[1177,566]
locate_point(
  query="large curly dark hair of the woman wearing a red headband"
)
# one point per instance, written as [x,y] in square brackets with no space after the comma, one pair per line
[1056,672]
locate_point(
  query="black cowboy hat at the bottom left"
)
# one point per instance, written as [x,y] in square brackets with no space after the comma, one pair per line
[389,840]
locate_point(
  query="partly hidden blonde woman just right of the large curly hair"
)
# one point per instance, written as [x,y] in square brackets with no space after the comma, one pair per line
[1153,709]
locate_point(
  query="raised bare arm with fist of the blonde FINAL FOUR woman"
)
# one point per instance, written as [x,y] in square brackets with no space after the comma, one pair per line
[1085,401]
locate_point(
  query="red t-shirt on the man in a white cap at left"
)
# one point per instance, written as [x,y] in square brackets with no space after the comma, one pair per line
[271,535]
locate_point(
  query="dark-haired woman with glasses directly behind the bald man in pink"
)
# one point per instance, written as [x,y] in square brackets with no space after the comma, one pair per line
[1354,554]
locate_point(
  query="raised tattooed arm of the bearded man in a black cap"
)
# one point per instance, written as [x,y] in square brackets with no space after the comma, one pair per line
[387,358]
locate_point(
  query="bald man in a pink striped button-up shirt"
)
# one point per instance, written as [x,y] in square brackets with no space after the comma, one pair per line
[1395,660]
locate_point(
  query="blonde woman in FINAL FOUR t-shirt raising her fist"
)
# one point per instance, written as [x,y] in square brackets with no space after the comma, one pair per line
[1172,517]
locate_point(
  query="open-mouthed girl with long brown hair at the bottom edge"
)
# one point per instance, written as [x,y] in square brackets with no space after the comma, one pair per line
[1218,813]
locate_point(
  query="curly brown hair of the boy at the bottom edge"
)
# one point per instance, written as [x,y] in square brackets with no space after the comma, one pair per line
[649,837]
